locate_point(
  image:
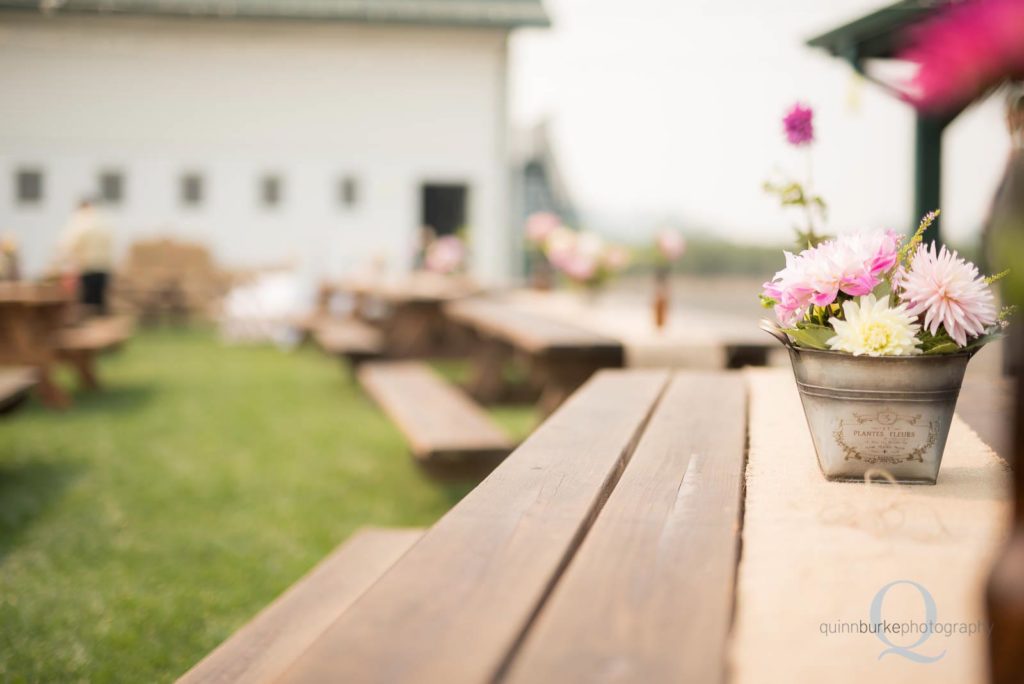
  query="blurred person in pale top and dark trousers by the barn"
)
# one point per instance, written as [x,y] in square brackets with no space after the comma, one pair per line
[87,250]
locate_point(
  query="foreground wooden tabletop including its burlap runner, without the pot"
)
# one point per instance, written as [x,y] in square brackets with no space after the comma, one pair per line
[607,548]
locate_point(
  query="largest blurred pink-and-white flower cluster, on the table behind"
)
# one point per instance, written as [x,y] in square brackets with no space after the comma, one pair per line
[585,259]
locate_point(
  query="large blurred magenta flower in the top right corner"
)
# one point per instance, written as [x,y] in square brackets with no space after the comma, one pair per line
[967,49]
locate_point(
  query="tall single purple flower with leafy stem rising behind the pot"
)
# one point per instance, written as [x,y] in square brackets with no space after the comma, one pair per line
[798,129]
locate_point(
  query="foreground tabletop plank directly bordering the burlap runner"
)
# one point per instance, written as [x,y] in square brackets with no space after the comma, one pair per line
[649,597]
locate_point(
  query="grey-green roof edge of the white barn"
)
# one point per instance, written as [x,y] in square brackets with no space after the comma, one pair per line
[497,14]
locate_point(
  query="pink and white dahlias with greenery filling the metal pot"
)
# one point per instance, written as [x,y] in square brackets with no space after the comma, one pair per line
[871,294]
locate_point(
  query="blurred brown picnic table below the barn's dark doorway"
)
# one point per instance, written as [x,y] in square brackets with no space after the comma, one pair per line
[415,324]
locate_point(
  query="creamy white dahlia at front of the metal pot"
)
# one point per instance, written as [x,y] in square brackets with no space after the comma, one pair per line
[873,328]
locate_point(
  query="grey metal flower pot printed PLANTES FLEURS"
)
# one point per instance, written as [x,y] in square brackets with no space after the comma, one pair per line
[888,414]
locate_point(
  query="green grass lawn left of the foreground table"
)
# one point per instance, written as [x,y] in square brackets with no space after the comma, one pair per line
[145,526]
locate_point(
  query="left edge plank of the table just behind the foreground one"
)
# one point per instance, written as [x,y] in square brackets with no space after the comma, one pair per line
[532,333]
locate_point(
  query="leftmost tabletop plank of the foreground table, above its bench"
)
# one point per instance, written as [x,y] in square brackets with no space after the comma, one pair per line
[455,607]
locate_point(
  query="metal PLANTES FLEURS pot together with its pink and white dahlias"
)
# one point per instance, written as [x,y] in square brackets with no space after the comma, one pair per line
[880,332]
